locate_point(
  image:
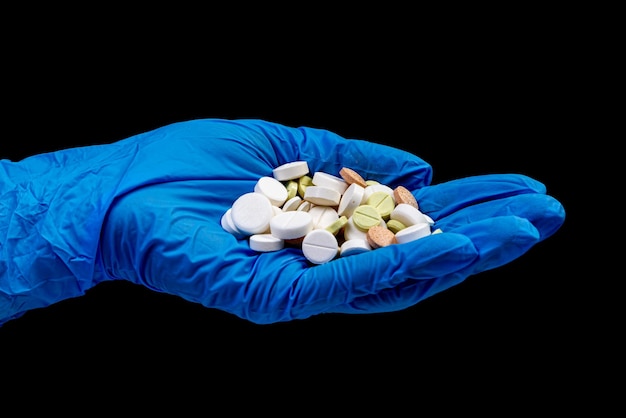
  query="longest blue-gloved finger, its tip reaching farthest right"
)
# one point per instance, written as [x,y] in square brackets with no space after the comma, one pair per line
[545,213]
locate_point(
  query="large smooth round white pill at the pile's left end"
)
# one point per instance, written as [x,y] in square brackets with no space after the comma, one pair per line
[251,213]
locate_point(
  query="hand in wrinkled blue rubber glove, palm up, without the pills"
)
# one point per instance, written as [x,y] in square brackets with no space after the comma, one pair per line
[147,209]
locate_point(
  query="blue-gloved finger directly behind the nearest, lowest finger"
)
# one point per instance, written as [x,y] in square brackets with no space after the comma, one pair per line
[497,241]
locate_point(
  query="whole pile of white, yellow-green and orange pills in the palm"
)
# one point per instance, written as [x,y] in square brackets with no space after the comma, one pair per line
[327,216]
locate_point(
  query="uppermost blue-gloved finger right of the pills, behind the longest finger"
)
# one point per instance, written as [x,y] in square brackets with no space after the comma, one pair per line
[443,199]
